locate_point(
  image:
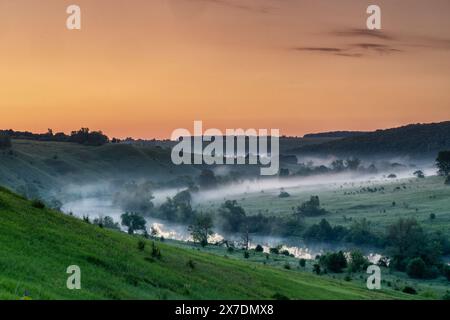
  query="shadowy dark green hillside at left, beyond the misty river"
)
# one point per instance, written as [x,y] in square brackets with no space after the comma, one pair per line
[35,167]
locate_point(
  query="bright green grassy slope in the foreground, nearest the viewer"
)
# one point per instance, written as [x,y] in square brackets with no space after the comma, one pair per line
[37,245]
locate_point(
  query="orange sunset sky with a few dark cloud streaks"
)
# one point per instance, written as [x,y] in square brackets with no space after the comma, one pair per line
[142,68]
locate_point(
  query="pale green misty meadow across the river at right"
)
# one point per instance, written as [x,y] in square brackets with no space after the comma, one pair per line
[413,197]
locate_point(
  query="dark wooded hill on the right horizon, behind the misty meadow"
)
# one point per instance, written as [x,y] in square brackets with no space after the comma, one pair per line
[418,140]
